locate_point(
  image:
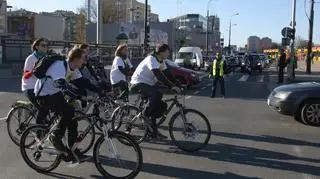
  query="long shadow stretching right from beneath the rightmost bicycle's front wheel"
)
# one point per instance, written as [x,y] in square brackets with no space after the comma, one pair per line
[250,156]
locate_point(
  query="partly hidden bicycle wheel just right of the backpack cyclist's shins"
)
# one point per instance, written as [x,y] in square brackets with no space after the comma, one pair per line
[88,141]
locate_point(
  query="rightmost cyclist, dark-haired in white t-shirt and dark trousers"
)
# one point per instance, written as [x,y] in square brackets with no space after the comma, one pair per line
[151,70]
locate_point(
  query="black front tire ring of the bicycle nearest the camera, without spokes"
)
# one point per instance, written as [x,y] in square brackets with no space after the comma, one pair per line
[131,142]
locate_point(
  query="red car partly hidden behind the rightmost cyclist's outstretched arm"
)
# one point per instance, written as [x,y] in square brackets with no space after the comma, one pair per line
[186,76]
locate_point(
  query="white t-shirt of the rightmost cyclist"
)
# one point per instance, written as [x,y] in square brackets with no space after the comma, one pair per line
[143,73]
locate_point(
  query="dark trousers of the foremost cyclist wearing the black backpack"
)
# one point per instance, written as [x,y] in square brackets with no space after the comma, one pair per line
[58,104]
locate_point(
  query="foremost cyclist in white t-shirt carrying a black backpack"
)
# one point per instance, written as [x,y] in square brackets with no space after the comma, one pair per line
[51,92]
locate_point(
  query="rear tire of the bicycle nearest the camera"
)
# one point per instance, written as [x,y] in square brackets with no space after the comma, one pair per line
[26,158]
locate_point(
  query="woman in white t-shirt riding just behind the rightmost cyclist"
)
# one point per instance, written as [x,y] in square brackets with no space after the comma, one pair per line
[121,69]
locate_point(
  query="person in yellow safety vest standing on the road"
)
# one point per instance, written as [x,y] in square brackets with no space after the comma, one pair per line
[218,70]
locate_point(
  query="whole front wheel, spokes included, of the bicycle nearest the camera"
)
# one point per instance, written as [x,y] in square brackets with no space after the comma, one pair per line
[130,165]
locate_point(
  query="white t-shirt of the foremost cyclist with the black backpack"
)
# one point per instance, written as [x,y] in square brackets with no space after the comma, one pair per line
[56,71]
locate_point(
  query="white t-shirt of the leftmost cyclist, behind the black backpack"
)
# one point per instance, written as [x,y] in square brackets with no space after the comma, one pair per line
[28,83]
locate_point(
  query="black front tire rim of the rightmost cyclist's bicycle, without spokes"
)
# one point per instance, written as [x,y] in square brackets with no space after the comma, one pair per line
[208,132]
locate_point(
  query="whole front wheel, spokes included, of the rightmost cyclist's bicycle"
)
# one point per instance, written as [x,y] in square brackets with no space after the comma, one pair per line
[190,131]
